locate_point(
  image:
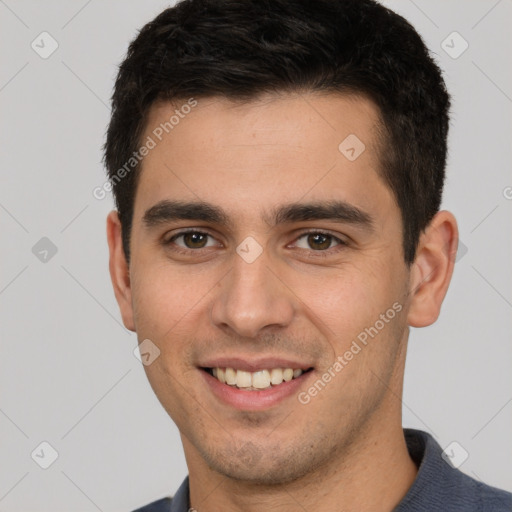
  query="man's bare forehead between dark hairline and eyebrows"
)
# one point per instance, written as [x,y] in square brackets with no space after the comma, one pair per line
[262,153]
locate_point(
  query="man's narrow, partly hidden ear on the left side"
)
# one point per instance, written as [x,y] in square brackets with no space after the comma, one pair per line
[119,271]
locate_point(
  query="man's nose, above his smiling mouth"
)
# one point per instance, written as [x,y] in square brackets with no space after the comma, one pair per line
[252,298]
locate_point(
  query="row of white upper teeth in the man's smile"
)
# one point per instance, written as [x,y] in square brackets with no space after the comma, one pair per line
[258,380]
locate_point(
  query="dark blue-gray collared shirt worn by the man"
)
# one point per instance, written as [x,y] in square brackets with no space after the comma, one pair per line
[438,486]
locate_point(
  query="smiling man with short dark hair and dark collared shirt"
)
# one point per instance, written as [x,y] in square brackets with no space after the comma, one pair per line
[278,168]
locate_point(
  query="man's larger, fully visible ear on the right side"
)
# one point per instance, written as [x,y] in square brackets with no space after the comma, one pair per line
[432,269]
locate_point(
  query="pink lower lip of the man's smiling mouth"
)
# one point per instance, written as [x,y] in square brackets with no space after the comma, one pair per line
[254,400]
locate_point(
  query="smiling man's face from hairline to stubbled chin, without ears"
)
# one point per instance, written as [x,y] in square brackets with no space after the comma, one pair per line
[251,279]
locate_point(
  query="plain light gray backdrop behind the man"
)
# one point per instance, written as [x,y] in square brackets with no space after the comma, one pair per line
[68,375]
